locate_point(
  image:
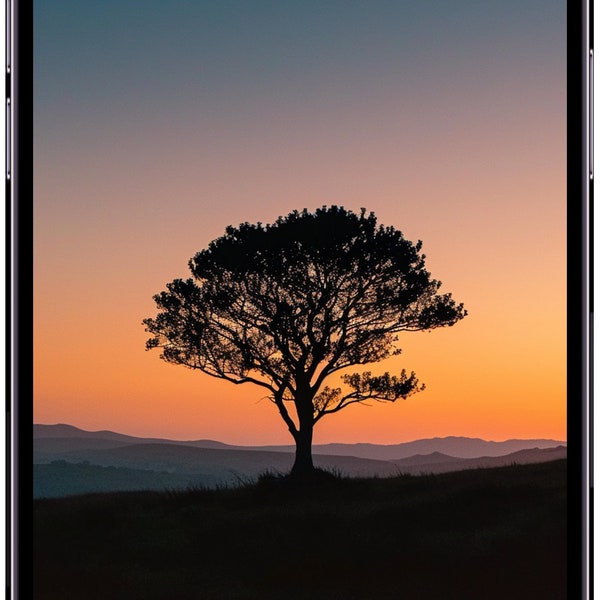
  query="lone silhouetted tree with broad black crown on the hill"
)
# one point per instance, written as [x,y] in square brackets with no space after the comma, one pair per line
[285,306]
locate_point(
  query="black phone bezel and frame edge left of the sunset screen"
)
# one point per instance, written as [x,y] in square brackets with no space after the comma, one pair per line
[20,377]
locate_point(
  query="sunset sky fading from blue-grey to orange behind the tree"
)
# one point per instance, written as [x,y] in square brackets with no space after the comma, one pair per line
[158,124]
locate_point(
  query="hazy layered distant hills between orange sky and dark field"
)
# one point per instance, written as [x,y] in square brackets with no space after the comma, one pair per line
[68,460]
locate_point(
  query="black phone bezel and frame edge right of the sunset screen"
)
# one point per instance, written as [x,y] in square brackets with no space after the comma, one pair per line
[578,299]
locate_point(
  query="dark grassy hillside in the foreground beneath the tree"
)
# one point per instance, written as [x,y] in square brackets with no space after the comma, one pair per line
[494,533]
